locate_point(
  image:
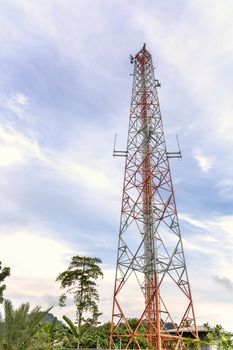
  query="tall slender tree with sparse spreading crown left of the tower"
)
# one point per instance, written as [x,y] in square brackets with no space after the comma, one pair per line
[79,280]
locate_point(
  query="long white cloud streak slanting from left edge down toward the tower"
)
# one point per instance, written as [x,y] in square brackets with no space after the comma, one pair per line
[17,148]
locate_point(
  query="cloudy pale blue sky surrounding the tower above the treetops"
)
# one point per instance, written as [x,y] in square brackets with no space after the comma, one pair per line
[65,89]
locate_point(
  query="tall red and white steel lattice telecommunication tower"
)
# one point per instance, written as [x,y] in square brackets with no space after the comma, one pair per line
[151,282]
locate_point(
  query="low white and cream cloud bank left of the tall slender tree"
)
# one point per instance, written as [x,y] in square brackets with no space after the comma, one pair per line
[36,257]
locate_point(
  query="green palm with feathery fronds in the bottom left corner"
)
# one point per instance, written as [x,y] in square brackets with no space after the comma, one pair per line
[19,326]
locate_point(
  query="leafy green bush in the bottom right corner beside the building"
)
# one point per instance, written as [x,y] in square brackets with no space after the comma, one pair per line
[219,337]
